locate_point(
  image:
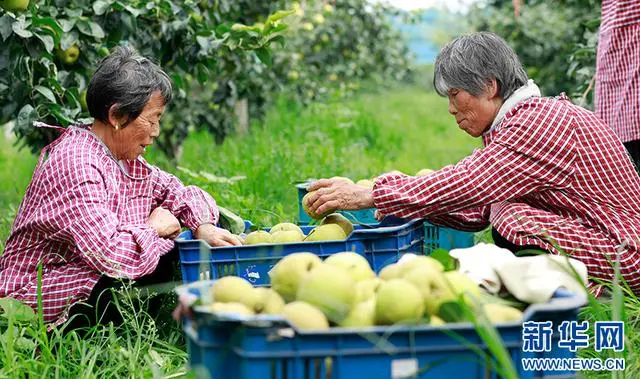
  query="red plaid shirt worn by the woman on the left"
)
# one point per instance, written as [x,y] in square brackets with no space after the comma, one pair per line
[85,215]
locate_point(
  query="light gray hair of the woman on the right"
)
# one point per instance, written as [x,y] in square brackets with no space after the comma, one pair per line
[471,61]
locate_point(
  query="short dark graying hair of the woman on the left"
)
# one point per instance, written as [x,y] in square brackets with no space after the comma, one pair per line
[127,80]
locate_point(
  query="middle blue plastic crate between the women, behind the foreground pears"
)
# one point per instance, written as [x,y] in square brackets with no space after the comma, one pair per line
[381,245]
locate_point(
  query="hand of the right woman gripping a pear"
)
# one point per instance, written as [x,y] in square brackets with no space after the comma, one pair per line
[338,194]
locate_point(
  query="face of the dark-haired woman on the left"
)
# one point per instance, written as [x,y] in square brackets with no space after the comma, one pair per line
[132,140]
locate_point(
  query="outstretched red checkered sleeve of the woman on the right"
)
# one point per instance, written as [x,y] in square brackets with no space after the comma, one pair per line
[532,153]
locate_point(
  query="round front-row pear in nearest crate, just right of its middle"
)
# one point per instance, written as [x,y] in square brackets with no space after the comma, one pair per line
[398,301]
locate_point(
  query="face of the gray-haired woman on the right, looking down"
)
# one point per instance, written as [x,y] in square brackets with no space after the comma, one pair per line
[474,114]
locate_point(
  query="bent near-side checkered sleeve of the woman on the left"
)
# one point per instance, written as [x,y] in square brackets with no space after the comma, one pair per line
[85,220]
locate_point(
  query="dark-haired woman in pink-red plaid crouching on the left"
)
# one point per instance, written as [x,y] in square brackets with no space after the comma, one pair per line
[95,211]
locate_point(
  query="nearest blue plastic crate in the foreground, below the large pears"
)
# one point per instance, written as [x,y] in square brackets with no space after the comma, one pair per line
[268,347]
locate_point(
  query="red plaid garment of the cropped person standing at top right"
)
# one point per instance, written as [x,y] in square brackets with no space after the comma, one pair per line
[617,97]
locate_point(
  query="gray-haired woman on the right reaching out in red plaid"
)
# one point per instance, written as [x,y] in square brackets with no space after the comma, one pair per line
[551,175]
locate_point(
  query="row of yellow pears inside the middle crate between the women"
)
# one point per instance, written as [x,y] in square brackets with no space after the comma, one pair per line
[333,227]
